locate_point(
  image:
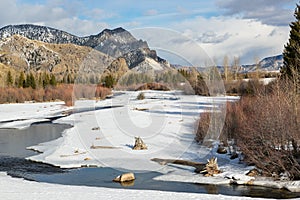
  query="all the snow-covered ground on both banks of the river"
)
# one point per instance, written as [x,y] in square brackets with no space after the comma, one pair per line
[103,135]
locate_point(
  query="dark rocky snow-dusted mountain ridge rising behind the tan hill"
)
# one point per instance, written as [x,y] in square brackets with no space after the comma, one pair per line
[115,43]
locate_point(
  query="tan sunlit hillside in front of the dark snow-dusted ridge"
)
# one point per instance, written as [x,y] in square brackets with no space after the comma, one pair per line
[24,54]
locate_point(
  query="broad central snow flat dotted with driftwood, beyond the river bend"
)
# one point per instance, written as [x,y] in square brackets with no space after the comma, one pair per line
[164,120]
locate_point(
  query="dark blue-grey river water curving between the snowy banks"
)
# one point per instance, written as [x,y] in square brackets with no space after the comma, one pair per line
[13,152]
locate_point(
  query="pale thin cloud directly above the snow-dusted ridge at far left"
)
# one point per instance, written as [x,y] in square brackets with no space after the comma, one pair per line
[54,14]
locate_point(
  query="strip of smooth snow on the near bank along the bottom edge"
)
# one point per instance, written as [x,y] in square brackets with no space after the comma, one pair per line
[18,189]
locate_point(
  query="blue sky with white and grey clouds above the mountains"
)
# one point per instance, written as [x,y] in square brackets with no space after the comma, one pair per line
[245,29]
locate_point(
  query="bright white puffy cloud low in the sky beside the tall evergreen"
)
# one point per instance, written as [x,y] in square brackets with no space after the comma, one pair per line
[246,39]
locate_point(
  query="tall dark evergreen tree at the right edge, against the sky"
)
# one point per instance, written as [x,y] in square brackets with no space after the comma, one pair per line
[291,54]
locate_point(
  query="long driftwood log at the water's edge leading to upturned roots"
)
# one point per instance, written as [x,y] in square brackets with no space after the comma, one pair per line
[198,166]
